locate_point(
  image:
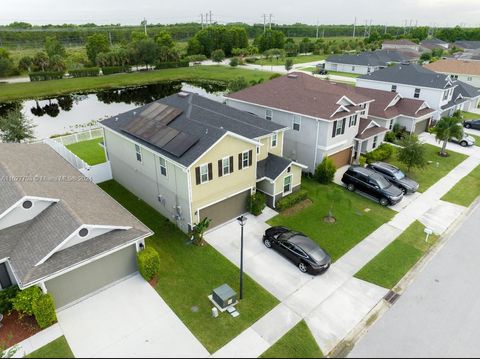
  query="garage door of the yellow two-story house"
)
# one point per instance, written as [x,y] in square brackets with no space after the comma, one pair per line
[226,210]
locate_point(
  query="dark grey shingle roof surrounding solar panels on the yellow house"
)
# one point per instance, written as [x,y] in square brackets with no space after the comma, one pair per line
[201,118]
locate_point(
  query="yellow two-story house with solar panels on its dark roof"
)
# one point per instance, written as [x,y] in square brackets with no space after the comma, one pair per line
[192,158]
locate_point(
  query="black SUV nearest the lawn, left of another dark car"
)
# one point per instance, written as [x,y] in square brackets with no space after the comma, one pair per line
[372,184]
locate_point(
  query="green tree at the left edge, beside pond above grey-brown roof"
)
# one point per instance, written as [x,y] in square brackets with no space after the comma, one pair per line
[14,127]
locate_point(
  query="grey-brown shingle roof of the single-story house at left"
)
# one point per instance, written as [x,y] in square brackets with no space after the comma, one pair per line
[80,203]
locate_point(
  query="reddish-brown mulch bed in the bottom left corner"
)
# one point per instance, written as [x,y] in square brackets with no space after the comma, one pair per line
[14,330]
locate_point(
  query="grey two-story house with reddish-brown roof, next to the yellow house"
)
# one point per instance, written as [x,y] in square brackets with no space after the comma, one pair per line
[323,117]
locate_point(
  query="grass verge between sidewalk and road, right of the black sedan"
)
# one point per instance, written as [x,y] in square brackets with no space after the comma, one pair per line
[394,262]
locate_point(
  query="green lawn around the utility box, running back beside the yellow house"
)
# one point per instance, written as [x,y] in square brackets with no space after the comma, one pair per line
[189,274]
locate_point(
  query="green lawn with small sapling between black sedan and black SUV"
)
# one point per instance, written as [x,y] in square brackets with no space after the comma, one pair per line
[356,216]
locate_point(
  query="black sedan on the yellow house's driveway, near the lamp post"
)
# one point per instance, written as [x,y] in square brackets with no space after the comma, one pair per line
[308,256]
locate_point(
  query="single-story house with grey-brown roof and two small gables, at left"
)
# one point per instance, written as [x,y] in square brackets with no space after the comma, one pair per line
[58,230]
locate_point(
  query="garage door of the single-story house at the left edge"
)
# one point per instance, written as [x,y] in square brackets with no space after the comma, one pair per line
[92,277]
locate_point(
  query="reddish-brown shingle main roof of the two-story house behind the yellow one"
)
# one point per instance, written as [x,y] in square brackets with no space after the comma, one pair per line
[303,94]
